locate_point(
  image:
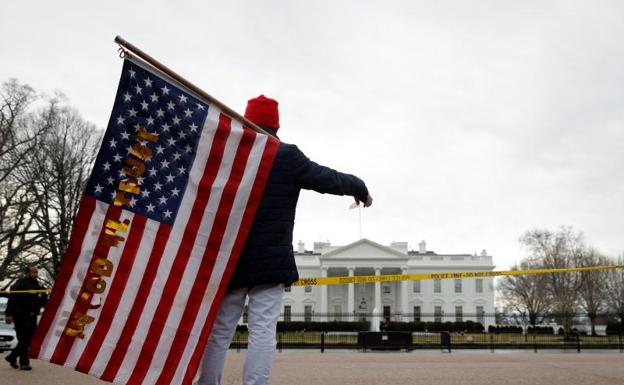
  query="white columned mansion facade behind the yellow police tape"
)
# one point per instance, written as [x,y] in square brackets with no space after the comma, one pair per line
[427,300]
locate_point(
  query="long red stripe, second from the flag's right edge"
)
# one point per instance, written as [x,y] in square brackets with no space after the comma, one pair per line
[209,258]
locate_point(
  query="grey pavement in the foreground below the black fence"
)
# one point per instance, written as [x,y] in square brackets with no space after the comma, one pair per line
[419,367]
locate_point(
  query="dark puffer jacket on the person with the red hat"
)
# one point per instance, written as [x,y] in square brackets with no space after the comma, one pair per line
[267,256]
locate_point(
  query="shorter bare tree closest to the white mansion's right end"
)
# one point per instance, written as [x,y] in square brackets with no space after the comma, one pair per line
[526,295]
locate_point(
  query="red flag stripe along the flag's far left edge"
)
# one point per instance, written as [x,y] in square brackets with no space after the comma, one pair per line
[80,231]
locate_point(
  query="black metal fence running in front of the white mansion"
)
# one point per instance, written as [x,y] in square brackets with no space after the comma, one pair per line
[446,332]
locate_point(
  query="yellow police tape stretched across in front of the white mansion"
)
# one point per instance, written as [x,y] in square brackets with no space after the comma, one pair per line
[419,277]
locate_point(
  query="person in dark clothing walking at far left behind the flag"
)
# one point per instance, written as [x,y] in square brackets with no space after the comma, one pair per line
[22,310]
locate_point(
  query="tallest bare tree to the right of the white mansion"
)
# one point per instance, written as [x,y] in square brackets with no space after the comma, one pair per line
[561,249]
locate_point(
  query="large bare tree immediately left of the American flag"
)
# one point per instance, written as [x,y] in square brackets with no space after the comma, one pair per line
[57,174]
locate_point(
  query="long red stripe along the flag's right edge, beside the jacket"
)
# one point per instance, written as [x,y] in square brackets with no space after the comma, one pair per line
[192,355]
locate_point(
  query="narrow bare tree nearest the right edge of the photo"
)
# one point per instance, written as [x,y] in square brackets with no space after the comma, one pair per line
[592,288]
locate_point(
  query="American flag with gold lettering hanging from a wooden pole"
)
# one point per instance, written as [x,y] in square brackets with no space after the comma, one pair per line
[162,222]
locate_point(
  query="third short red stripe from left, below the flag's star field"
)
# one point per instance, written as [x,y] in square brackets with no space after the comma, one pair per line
[117,288]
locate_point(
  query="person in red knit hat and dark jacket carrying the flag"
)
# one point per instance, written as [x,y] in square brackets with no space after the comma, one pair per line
[267,263]
